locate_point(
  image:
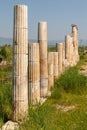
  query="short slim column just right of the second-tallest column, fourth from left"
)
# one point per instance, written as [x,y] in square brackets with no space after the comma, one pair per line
[50,70]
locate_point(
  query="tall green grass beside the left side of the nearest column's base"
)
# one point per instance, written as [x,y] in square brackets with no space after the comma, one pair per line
[5,100]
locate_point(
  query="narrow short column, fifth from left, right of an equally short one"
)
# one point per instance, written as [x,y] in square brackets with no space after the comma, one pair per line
[55,65]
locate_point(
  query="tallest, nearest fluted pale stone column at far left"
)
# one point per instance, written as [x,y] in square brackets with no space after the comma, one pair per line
[20,63]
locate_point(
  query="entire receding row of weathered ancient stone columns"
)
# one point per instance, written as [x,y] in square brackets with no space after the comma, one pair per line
[35,69]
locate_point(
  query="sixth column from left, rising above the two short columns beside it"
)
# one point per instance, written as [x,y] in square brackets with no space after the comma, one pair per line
[59,47]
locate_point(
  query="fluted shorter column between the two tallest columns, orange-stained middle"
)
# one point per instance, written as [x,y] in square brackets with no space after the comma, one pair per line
[34,73]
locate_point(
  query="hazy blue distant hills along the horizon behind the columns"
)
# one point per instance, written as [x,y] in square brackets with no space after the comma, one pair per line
[4,41]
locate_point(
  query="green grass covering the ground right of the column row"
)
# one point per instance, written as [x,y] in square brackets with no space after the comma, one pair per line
[69,89]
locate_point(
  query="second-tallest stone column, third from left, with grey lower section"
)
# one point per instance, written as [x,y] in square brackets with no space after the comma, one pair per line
[42,39]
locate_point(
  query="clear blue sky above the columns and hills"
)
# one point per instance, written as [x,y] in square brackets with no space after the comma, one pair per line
[59,15]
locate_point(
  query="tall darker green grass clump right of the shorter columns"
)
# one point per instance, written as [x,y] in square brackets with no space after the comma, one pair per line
[71,81]
